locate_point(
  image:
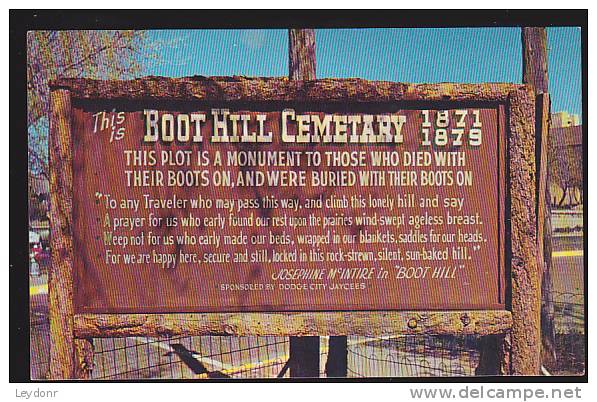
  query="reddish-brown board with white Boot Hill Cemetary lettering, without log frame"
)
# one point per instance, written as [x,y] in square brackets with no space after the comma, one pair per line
[221,206]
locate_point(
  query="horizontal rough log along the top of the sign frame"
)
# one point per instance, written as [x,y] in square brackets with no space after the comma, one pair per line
[247,89]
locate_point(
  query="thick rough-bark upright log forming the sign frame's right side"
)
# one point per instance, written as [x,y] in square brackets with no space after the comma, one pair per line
[525,345]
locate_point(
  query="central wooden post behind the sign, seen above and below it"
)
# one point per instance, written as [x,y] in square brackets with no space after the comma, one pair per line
[304,351]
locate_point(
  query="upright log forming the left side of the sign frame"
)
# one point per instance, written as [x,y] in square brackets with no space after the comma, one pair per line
[62,359]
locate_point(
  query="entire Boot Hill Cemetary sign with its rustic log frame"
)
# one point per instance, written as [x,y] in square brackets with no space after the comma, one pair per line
[270,207]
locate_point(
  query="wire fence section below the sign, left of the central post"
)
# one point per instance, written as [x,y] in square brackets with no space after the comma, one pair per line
[189,357]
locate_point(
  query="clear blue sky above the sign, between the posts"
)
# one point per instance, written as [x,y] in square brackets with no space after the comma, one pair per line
[405,55]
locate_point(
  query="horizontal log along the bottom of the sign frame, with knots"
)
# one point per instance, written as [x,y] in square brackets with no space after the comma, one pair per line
[364,323]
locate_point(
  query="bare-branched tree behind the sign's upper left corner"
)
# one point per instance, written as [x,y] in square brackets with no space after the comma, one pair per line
[57,54]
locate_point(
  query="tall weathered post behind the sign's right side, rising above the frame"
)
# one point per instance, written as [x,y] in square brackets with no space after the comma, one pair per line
[535,73]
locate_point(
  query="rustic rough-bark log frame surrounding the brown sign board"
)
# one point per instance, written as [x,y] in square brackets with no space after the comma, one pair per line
[520,322]
